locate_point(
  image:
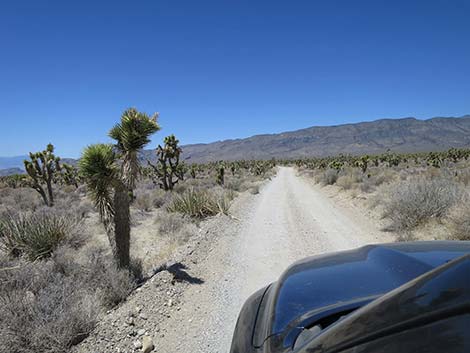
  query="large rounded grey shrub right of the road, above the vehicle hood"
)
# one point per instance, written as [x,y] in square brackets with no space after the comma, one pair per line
[414,201]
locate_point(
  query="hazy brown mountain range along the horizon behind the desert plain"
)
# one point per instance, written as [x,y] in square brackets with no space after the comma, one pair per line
[375,137]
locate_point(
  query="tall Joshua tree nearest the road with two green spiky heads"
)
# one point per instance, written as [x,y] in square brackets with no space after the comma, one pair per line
[111,171]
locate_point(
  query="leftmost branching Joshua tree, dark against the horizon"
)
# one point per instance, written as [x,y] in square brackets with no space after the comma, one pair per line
[42,169]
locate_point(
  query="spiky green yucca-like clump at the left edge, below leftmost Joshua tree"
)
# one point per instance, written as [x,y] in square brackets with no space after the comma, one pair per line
[36,235]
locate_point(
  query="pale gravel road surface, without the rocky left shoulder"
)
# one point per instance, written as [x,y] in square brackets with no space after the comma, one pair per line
[289,220]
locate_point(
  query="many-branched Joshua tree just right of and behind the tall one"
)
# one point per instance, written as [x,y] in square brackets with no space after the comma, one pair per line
[168,170]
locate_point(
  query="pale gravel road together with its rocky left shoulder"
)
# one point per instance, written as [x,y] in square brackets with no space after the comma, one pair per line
[195,310]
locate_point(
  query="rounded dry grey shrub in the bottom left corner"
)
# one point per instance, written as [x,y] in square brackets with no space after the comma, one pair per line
[43,310]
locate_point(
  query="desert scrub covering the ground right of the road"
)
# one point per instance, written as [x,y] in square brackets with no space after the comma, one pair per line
[420,195]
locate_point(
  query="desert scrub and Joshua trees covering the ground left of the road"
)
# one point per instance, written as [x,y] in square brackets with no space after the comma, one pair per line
[77,240]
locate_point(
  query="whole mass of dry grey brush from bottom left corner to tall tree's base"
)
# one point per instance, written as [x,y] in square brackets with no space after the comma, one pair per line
[50,305]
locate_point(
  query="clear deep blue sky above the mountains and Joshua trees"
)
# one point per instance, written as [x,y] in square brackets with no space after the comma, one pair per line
[224,69]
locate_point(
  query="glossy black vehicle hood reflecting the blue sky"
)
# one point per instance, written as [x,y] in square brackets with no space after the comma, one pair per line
[343,281]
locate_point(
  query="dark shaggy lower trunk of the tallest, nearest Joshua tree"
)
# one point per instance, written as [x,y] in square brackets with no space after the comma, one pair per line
[122,229]
